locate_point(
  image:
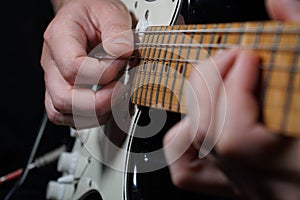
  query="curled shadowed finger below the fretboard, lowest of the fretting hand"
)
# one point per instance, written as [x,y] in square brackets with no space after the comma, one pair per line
[187,170]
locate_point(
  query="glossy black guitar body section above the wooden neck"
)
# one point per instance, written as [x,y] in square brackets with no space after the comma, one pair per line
[217,11]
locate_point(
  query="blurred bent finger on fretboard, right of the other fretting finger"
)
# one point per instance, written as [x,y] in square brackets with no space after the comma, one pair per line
[242,133]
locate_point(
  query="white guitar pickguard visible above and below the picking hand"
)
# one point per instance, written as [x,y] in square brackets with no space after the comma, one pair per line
[90,173]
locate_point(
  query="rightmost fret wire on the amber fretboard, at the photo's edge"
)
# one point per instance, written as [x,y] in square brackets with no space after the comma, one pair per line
[290,88]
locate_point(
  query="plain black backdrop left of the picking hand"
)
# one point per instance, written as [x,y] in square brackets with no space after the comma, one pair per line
[22,96]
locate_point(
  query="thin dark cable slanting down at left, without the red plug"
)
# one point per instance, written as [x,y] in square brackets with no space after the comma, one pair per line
[31,157]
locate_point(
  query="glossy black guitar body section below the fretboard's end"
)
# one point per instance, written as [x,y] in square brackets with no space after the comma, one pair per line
[155,184]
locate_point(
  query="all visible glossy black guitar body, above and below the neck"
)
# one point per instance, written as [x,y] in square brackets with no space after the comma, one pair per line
[156,185]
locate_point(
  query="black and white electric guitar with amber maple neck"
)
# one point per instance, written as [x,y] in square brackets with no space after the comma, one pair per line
[126,161]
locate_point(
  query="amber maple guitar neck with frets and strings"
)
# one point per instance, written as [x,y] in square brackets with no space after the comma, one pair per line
[167,55]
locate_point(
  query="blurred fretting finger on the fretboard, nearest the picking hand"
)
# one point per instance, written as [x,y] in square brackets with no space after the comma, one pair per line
[205,84]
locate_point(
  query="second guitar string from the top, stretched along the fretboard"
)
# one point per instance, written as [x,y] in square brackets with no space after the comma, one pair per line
[265,47]
